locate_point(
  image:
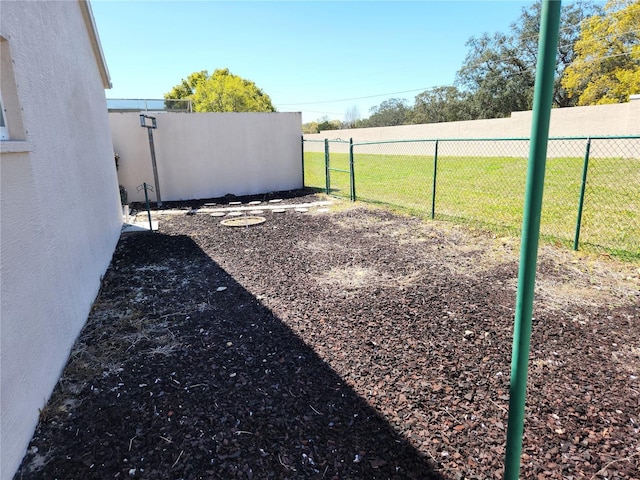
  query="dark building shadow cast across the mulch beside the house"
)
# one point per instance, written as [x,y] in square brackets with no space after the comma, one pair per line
[181,373]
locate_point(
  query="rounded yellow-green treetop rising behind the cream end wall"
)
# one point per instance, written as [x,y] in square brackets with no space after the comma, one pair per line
[221,92]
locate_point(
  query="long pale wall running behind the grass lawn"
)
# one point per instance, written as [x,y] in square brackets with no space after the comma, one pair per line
[599,120]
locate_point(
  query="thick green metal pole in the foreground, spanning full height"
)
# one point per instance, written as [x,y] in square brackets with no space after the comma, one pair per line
[542,99]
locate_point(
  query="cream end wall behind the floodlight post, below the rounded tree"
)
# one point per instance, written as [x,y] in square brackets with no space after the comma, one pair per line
[207,155]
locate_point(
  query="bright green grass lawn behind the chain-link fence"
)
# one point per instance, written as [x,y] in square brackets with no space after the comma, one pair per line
[489,191]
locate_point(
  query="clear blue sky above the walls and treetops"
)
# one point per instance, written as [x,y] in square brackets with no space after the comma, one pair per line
[318,58]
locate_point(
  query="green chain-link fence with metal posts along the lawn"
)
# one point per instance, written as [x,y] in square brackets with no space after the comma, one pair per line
[592,184]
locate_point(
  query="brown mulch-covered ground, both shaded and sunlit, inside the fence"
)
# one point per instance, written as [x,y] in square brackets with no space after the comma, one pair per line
[349,344]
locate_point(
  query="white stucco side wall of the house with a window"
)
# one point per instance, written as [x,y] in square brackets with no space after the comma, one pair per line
[60,213]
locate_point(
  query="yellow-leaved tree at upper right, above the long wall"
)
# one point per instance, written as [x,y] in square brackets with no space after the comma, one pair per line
[607,64]
